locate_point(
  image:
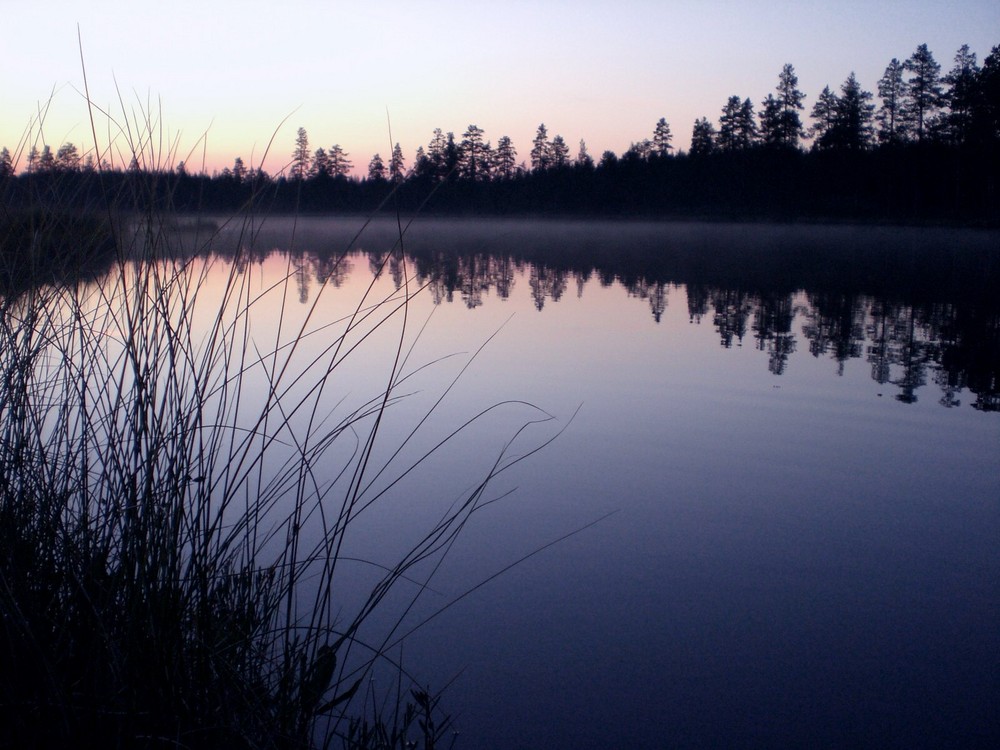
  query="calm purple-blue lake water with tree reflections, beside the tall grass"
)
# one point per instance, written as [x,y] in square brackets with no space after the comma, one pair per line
[769,512]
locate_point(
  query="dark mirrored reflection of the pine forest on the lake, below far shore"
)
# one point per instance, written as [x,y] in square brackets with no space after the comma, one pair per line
[919,306]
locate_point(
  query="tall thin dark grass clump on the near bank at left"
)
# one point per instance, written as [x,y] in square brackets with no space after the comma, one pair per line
[171,543]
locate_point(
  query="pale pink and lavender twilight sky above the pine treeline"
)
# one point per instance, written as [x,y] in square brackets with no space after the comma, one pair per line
[214,80]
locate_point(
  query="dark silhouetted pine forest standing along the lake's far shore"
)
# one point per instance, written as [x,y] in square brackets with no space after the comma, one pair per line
[929,153]
